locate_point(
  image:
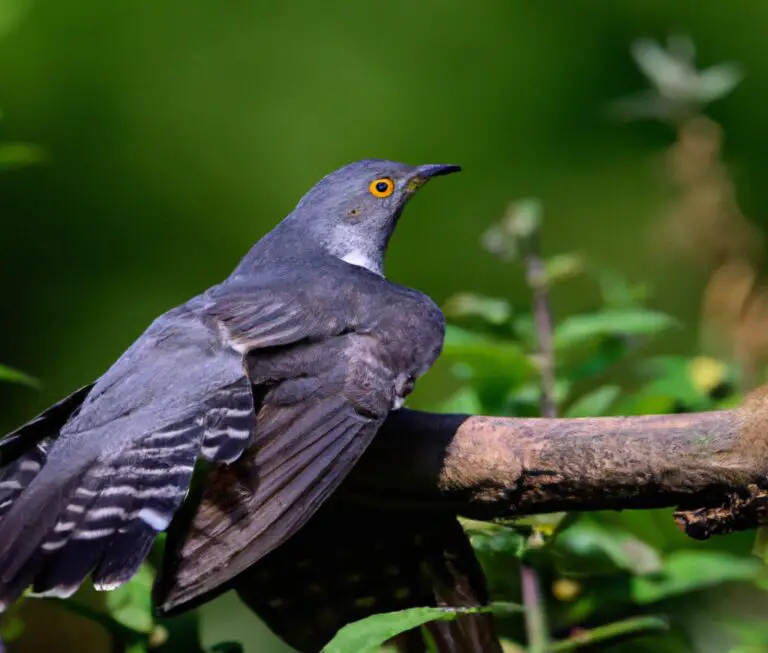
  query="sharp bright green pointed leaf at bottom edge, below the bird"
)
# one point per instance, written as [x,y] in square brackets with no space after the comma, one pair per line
[370,633]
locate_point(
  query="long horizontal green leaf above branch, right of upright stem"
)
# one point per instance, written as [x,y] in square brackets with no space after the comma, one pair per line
[581,329]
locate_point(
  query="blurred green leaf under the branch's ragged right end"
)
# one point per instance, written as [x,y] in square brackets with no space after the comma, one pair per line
[690,571]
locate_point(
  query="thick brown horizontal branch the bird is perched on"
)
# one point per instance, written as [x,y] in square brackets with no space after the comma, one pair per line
[713,466]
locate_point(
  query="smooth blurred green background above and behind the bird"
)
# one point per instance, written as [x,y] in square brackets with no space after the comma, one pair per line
[177,133]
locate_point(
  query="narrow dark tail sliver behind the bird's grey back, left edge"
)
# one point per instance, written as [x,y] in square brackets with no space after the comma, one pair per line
[24,452]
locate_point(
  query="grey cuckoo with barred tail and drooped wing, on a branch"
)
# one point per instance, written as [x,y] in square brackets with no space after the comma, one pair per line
[291,364]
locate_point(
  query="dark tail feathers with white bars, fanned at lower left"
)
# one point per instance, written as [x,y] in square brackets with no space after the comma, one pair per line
[98,512]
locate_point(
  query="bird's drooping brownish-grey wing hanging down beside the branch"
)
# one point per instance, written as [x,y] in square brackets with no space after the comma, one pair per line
[311,430]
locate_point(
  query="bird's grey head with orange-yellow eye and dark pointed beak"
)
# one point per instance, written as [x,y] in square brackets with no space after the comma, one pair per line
[352,212]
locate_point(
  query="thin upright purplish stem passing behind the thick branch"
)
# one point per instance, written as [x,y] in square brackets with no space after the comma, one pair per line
[536,276]
